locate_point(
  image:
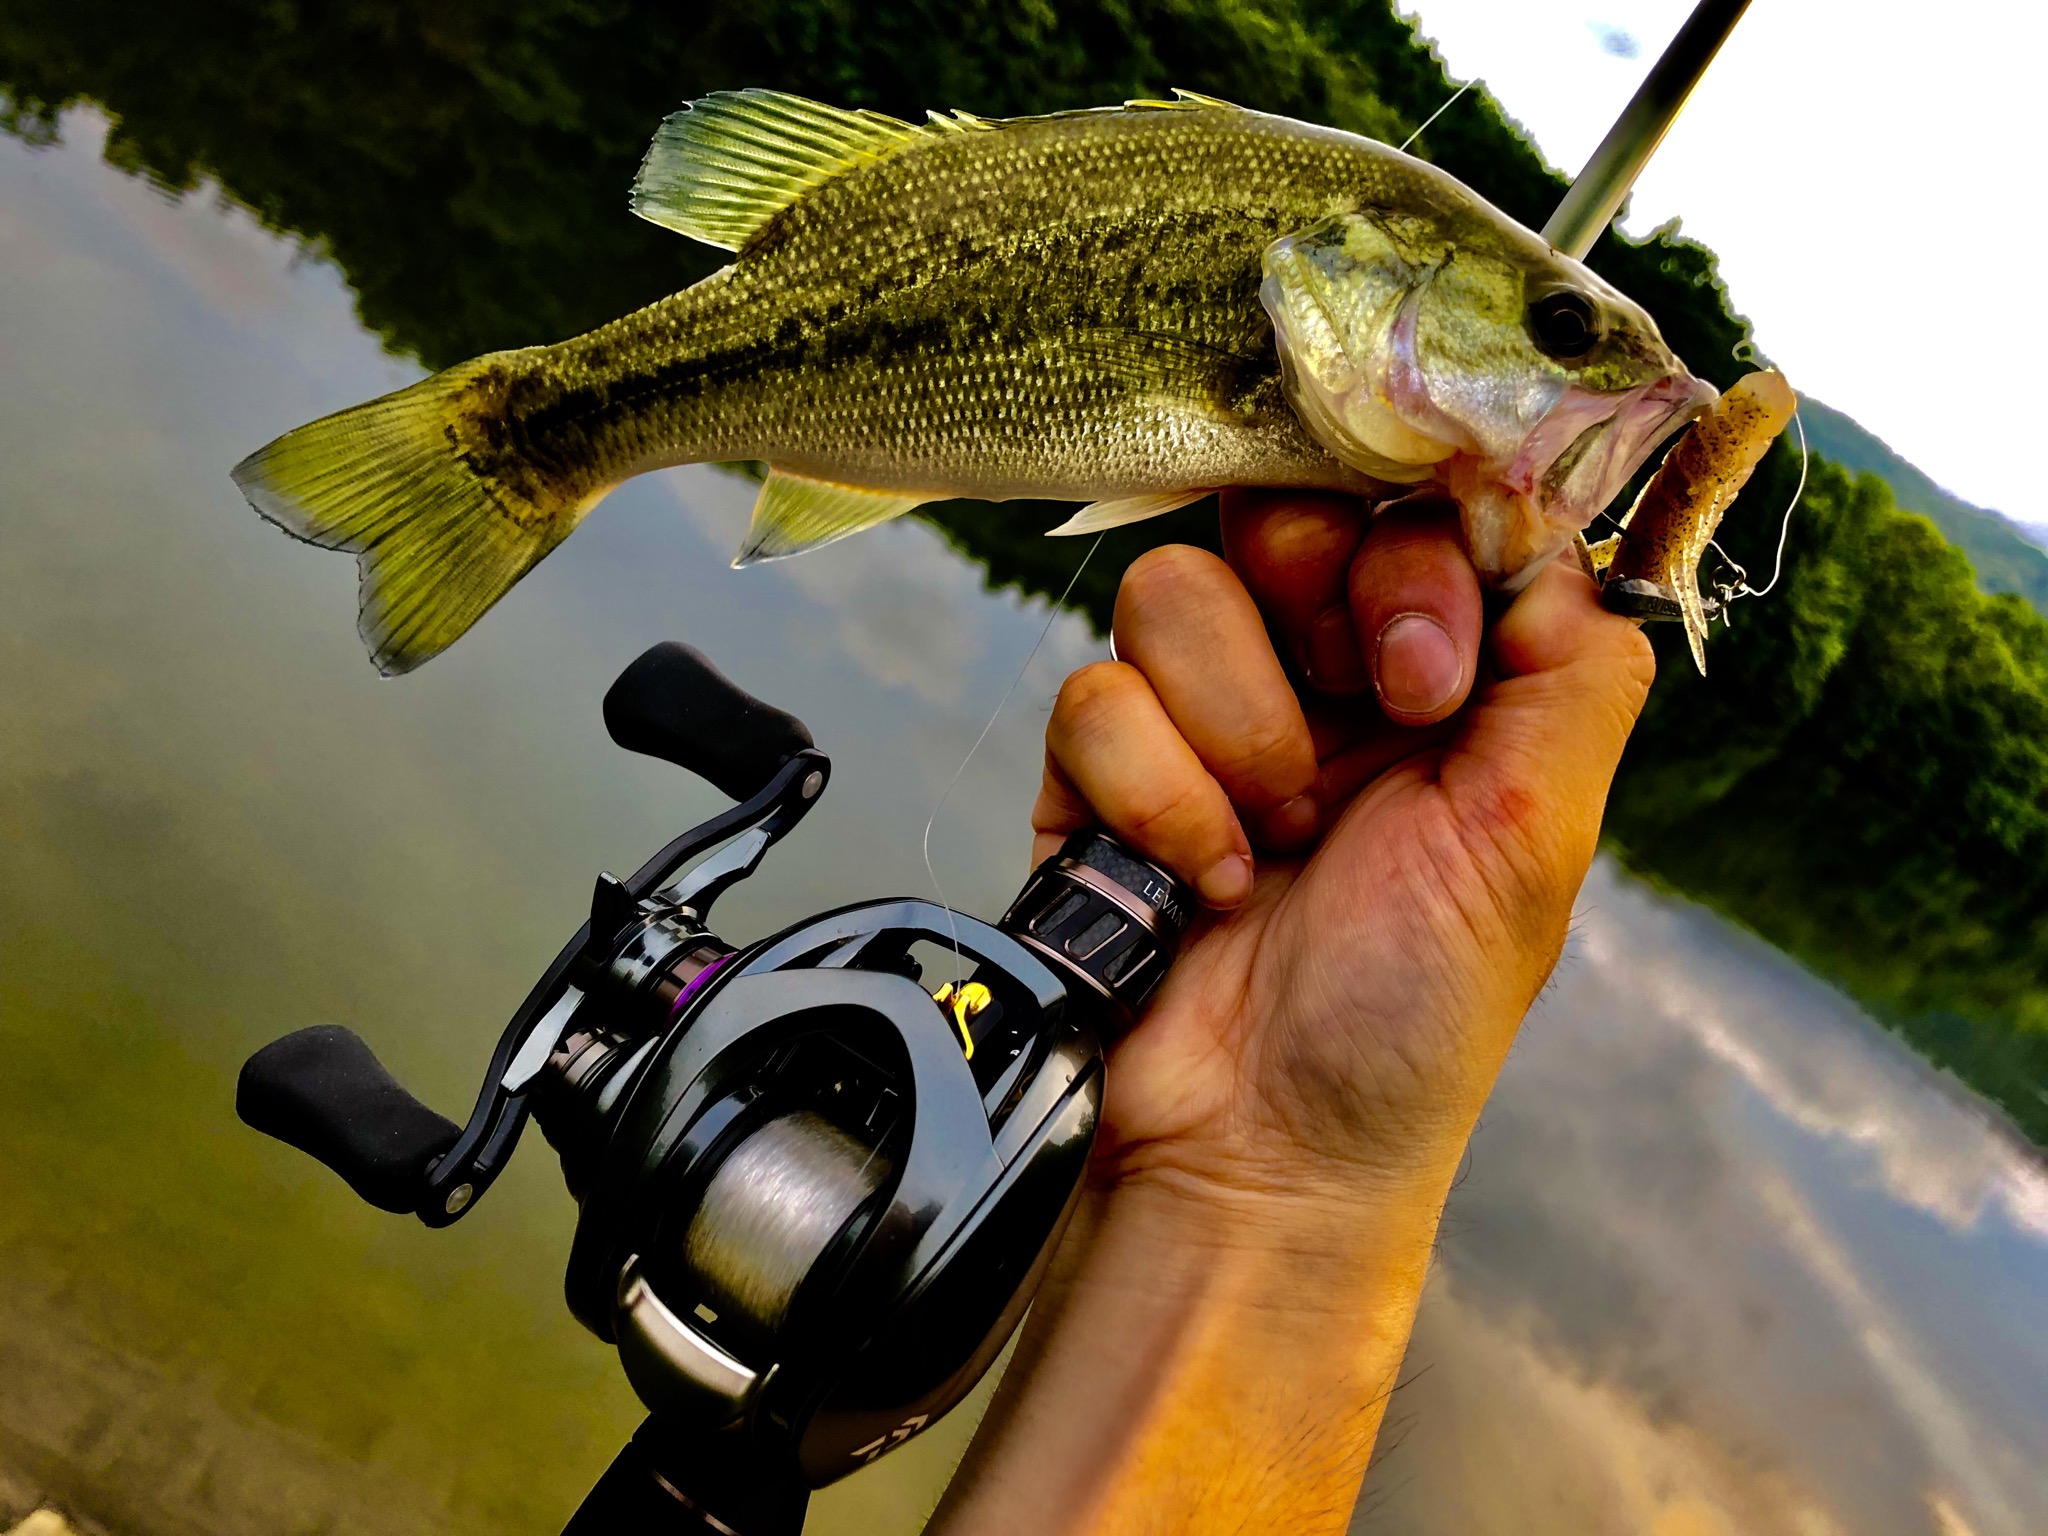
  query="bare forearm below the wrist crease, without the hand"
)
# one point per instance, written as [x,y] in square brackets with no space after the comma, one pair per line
[1203,1361]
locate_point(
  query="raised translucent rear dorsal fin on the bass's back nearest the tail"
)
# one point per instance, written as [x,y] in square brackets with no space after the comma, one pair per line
[726,165]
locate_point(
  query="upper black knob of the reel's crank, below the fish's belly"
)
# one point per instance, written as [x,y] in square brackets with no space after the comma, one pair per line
[675,706]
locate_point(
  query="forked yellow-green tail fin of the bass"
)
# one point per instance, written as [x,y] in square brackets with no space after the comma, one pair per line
[433,499]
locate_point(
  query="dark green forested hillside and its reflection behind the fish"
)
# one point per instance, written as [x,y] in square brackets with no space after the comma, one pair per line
[1865,775]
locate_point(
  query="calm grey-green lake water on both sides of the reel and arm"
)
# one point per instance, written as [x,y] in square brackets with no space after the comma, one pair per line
[1725,1258]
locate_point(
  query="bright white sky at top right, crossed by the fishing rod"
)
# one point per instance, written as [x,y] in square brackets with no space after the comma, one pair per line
[1865,173]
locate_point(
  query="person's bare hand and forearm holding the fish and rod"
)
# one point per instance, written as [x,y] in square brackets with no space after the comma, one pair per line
[1226,1316]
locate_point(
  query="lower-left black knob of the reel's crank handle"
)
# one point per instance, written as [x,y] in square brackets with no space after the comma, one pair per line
[327,1095]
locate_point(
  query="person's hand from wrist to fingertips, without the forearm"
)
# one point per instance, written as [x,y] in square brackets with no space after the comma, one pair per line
[1426,810]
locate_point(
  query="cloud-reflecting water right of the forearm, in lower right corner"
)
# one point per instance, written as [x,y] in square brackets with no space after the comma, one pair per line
[1727,1258]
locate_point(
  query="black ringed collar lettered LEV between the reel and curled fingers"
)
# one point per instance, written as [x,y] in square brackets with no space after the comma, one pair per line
[1105,919]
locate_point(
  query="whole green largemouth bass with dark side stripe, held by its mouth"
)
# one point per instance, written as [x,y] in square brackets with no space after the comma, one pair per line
[1127,306]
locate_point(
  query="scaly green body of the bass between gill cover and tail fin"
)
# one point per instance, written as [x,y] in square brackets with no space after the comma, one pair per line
[910,329]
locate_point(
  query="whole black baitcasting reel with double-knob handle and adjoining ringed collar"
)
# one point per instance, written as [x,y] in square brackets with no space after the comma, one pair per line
[816,1195]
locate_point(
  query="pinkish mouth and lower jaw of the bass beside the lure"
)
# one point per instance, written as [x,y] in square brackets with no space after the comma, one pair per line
[1519,515]
